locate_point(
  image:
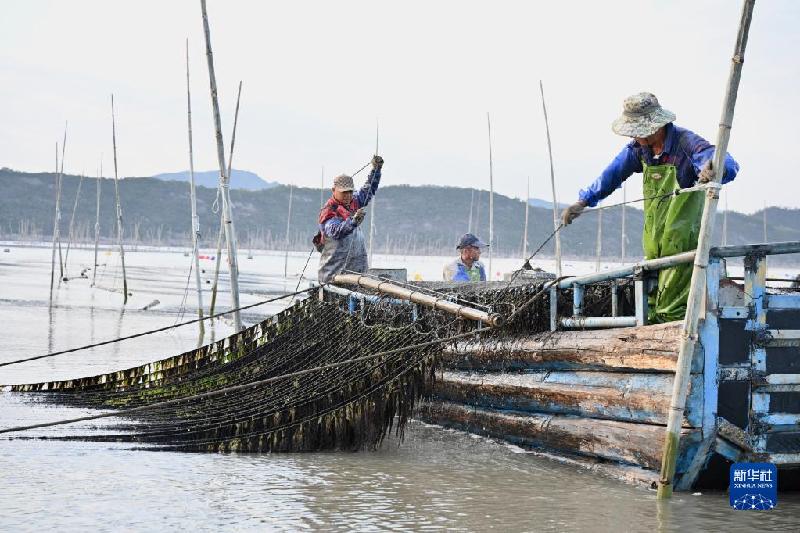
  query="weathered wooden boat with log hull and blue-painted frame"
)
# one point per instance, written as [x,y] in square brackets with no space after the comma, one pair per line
[601,396]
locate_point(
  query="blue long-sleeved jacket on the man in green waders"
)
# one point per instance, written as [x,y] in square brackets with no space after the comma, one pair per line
[682,148]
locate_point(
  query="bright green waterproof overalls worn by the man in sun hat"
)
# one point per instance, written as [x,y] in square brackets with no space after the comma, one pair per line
[671,226]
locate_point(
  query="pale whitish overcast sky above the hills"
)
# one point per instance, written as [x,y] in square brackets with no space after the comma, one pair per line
[318,76]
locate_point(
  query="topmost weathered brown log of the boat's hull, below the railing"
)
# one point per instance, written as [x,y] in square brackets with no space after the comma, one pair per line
[646,348]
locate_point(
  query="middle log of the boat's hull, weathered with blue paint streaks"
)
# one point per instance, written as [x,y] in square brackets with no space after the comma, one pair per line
[607,395]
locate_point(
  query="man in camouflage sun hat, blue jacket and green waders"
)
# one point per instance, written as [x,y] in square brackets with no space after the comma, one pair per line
[669,157]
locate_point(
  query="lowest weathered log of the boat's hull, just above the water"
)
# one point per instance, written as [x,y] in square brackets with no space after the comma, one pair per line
[635,444]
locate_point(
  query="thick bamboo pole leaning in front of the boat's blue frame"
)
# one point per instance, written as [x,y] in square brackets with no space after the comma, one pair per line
[697,288]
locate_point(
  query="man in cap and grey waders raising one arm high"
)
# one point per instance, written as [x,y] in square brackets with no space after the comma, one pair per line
[340,239]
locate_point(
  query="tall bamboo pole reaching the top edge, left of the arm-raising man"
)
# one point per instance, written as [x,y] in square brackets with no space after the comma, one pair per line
[224,180]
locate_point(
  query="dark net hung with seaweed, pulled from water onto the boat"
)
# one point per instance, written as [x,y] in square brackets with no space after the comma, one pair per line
[332,373]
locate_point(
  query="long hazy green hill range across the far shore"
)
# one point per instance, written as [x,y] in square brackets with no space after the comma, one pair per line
[409,220]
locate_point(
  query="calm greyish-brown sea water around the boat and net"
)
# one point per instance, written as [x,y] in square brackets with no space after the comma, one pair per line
[434,479]
